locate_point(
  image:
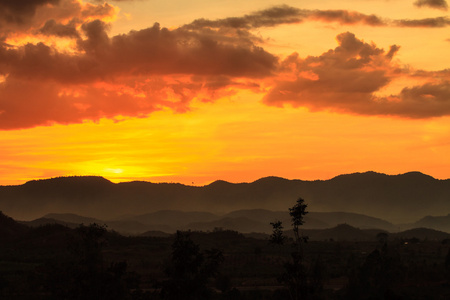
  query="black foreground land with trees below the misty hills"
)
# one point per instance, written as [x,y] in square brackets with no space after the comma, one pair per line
[89,262]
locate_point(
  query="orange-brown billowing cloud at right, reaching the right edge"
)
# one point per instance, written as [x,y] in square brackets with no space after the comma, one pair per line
[346,79]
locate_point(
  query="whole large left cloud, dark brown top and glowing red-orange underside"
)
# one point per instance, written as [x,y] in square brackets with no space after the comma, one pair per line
[130,74]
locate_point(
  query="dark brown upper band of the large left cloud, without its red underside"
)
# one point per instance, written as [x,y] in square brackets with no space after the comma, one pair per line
[150,51]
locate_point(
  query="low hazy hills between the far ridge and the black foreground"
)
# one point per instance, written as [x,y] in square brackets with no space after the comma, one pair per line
[245,221]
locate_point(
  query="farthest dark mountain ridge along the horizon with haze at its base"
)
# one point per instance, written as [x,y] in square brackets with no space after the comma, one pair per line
[397,199]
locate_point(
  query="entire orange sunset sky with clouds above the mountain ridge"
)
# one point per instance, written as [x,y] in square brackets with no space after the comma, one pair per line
[197,91]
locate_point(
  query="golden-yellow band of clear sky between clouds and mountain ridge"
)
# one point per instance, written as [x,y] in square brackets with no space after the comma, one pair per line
[236,139]
